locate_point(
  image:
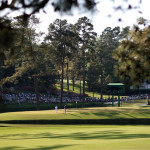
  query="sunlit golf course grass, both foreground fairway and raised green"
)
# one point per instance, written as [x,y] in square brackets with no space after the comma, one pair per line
[35,130]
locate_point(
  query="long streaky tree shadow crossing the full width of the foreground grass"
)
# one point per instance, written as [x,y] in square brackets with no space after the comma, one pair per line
[113,134]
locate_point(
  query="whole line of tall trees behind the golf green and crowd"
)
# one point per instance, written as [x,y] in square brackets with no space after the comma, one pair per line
[68,51]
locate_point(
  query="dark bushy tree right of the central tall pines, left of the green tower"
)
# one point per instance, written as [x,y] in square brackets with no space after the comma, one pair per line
[102,61]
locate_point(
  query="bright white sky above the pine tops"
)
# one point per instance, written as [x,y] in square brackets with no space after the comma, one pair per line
[100,19]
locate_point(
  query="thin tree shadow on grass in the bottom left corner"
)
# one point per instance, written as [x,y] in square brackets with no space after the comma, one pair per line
[37,148]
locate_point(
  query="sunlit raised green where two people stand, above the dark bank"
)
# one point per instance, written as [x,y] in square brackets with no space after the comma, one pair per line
[130,110]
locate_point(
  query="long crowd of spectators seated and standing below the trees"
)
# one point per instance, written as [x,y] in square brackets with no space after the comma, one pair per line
[30,98]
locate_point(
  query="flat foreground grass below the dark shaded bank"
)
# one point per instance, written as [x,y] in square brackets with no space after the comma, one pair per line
[73,137]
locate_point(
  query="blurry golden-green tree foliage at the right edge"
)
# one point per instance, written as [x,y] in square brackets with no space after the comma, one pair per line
[133,54]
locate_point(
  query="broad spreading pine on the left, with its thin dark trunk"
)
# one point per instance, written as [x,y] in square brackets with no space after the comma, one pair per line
[28,58]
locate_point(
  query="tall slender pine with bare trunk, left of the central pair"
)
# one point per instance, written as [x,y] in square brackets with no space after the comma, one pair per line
[61,46]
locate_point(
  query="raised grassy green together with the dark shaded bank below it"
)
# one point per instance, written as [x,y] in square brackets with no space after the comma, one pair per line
[131,112]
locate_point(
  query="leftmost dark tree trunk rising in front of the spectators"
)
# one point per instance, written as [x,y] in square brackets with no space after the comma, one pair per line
[36,93]
